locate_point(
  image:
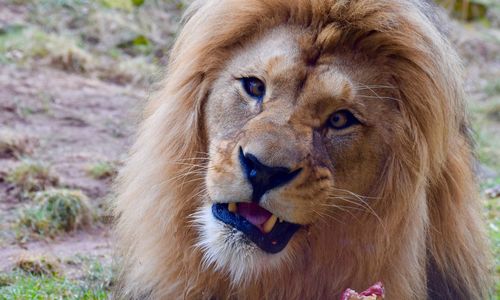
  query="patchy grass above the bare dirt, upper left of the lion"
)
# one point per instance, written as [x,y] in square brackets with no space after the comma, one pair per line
[122,41]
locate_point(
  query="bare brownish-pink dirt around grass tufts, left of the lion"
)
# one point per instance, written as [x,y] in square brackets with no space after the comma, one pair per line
[71,122]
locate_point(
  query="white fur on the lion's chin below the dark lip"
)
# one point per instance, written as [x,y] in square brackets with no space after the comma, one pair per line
[227,249]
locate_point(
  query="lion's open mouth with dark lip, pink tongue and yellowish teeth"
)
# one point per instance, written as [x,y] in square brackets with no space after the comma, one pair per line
[262,227]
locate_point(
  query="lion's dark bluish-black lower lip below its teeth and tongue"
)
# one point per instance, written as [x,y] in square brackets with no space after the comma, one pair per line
[272,242]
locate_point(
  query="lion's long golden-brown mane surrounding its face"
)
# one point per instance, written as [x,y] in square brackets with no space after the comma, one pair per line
[427,191]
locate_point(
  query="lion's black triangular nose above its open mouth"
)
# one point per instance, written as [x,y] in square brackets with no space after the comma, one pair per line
[264,178]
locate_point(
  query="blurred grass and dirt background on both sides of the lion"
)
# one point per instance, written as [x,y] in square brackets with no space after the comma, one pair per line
[73,77]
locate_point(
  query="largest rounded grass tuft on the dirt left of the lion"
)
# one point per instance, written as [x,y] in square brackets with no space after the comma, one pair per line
[54,211]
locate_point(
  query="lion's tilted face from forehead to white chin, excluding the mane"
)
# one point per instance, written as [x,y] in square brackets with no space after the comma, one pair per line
[296,139]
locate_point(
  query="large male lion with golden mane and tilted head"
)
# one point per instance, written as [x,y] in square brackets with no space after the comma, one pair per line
[300,148]
